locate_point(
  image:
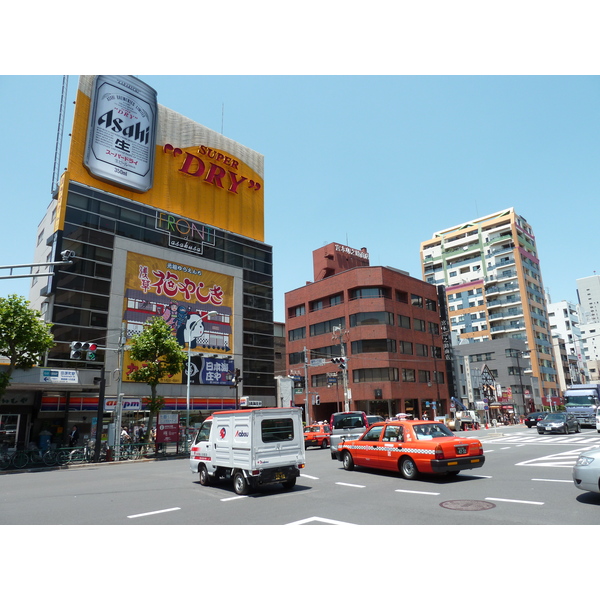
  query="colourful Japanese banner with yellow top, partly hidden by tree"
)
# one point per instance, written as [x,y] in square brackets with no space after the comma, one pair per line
[196,303]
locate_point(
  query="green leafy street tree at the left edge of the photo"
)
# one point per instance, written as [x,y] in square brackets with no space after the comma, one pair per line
[24,336]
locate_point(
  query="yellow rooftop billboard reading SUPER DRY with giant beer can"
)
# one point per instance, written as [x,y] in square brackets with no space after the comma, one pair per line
[198,173]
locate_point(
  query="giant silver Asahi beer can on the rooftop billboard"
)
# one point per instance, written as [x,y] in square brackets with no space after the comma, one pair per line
[121,135]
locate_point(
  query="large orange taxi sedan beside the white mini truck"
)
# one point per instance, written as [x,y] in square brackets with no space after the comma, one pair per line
[412,447]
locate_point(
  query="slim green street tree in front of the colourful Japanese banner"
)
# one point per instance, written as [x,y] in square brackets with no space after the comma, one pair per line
[160,356]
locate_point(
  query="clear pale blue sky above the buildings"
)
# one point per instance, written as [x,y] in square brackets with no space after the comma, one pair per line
[380,162]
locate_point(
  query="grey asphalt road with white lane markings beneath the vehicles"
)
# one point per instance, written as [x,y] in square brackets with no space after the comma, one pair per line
[526,480]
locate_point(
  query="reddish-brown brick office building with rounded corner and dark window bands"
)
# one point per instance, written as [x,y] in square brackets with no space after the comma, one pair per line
[383,322]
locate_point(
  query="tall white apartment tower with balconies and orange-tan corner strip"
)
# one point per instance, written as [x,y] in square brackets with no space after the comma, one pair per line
[491,270]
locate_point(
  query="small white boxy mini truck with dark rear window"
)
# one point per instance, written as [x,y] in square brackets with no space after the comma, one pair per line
[253,447]
